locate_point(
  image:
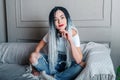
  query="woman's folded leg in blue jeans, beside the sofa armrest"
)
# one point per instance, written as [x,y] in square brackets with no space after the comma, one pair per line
[70,73]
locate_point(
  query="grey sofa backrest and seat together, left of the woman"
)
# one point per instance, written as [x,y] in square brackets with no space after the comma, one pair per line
[13,60]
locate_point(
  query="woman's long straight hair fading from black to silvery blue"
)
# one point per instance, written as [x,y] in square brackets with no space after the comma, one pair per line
[53,53]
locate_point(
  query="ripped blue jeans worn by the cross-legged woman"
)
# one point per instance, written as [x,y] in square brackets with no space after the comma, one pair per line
[62,73]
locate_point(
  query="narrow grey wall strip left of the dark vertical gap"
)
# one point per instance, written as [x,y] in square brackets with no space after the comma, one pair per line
[2,22]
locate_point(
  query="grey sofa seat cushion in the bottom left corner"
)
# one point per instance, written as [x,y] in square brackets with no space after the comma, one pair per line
[12,72]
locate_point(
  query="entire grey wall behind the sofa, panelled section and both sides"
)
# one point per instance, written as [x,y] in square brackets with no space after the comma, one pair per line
[100,23]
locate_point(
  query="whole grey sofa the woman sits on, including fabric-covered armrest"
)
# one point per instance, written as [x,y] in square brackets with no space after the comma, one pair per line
[14,59]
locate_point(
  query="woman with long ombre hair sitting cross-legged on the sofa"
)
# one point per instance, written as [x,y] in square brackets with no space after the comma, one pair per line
[64,59]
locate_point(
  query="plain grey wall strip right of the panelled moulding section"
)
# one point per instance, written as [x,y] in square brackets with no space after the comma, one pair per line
[115,32]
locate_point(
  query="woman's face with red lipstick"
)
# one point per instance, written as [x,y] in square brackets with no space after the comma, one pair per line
[60,20]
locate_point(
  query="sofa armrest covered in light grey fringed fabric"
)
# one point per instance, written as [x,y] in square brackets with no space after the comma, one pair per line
[99,65]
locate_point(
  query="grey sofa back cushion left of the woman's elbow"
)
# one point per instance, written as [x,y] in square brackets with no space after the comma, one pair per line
[16,53]
